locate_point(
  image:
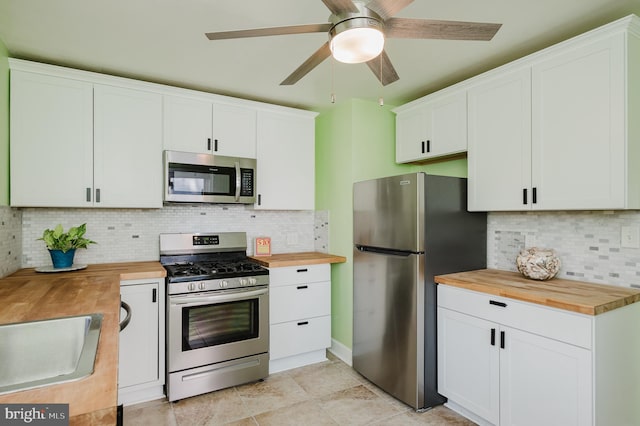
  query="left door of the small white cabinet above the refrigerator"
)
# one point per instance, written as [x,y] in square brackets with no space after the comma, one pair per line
[412,132]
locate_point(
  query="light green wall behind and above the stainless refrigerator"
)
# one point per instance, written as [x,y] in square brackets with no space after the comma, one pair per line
[356,141]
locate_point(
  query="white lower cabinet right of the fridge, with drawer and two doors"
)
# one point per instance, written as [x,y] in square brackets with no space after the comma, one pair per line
[507,362]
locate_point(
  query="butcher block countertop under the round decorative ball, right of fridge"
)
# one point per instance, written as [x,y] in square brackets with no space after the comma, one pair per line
[576,296]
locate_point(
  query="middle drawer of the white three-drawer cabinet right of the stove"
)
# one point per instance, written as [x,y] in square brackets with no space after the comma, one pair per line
[299,301]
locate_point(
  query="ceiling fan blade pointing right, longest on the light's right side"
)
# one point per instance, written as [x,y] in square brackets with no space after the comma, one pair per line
[445,30]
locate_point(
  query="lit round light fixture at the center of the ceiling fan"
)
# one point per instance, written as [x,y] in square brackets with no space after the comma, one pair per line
[356,40]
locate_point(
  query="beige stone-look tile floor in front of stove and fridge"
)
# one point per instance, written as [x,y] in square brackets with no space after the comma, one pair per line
[327,393]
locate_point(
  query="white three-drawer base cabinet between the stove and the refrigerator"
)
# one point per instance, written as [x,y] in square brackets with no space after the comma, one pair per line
[299,315]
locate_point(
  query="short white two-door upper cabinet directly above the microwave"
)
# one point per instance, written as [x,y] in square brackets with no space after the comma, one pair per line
[204,126]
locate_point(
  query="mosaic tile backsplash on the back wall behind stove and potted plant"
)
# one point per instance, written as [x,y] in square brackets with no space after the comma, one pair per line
[132,234]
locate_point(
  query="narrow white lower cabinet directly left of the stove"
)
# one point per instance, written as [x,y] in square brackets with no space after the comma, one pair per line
[141,365]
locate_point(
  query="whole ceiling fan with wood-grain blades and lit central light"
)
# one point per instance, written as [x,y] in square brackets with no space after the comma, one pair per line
[357,30]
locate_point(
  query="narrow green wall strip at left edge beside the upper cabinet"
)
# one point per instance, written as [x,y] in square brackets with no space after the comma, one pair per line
[4,125]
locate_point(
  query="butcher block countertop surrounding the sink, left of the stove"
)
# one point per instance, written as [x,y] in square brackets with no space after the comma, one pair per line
[28,295]
